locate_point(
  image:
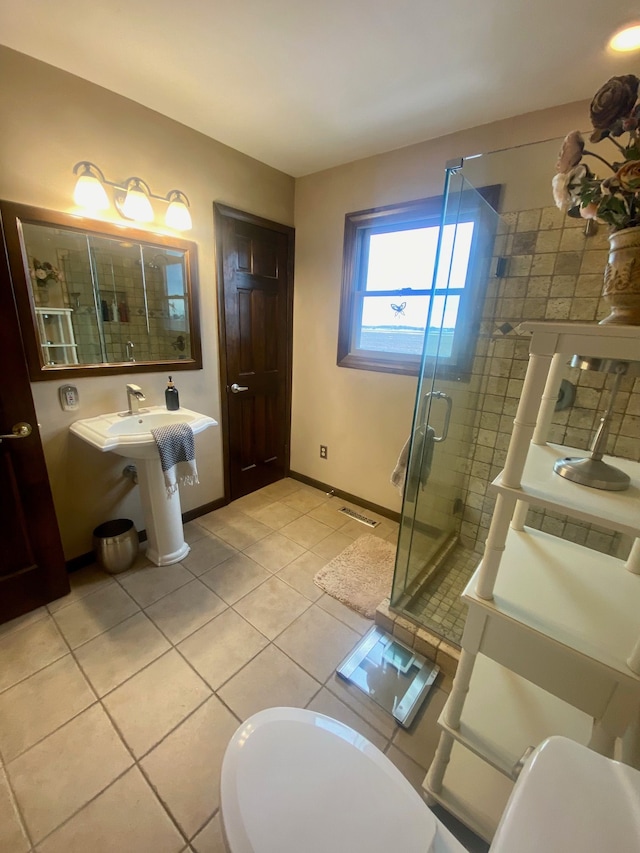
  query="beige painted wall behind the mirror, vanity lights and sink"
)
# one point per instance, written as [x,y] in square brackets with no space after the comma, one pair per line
[49,120]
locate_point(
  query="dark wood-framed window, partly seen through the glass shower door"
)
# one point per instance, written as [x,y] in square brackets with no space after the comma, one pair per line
[389,293]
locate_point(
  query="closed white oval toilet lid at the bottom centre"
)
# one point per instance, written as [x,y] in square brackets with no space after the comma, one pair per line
[298,780]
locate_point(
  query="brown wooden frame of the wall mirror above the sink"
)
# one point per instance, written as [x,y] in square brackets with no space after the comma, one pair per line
[13,215]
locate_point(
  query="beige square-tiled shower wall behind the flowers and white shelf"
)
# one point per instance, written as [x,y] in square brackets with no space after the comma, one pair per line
[553,272]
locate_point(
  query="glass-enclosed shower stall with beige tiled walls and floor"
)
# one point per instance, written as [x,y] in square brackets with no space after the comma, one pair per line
[493,272]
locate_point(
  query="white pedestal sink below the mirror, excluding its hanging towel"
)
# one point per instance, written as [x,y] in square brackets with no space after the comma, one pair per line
[130,435]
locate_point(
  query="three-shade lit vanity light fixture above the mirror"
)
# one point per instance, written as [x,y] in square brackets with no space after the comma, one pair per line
[132,198]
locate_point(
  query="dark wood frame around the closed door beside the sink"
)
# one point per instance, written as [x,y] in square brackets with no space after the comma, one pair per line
[220,213]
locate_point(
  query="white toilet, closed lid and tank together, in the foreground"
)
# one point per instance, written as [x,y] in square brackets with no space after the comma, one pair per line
[295,781]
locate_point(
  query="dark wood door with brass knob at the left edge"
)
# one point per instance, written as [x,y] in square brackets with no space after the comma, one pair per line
[32,565]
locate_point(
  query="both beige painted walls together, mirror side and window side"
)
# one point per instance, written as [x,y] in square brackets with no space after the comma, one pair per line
[51,119]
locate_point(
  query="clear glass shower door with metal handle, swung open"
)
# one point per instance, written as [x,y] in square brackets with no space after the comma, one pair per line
[443,421]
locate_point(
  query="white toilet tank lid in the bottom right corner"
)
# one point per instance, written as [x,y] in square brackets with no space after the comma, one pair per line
[569,798]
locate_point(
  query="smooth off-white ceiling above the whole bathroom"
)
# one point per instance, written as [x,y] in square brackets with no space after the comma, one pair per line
[303,85]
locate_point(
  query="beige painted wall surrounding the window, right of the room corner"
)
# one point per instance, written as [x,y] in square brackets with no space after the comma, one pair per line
[364,417]
